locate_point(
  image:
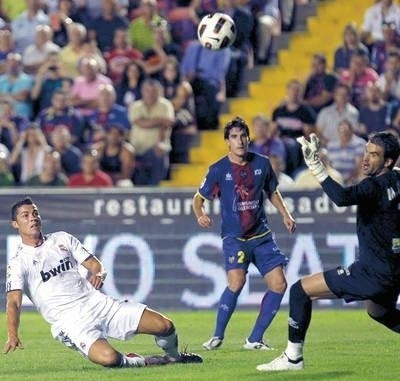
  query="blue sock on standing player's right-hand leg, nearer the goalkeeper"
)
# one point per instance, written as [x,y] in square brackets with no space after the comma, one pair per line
[269,307]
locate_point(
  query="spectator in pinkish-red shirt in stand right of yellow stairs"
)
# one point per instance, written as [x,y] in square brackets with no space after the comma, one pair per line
[358,76]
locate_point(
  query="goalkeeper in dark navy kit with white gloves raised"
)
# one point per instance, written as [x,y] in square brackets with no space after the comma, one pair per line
[375,276]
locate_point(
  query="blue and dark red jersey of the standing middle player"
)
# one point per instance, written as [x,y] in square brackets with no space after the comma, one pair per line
[241,189]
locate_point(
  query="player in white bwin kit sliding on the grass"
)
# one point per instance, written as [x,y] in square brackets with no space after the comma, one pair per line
[81,317]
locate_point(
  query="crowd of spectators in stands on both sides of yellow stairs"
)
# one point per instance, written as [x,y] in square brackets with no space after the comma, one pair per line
[109,93]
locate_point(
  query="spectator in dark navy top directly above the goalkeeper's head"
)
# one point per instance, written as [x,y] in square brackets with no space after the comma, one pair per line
[376,114]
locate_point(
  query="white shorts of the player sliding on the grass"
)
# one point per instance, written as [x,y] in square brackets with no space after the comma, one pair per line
[99,317]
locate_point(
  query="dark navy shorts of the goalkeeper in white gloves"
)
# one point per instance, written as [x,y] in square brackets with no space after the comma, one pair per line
[355,283]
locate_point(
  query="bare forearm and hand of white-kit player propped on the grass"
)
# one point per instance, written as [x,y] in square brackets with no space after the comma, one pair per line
[14,301]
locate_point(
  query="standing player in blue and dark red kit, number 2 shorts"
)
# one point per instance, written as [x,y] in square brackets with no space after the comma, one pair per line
[241,180]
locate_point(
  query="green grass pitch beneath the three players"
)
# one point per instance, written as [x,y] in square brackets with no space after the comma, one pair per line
[341,345]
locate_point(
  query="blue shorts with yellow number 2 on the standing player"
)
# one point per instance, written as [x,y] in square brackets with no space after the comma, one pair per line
[262,251]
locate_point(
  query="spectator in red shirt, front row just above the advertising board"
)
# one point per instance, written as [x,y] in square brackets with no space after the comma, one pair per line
[91,175]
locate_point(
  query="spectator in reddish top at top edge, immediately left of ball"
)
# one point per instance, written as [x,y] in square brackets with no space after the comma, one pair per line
[183,20]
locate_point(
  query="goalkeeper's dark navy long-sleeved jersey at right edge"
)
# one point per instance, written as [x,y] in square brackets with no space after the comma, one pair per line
[378,220]
